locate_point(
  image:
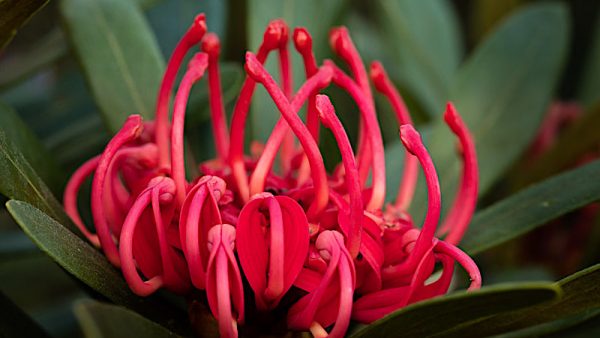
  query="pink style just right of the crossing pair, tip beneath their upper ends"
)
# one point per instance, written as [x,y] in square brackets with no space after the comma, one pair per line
[331,121]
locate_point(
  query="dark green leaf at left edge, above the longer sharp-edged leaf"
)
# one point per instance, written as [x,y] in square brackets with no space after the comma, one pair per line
[31,148]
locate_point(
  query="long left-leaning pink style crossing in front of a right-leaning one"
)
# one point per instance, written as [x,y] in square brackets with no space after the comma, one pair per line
[256,70]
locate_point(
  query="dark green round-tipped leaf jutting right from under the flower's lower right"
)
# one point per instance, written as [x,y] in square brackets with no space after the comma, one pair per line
[426,318]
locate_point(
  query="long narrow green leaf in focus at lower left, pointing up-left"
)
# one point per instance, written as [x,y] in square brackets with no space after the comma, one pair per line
[87,264]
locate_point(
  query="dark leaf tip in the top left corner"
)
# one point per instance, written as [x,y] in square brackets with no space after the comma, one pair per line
[14,14]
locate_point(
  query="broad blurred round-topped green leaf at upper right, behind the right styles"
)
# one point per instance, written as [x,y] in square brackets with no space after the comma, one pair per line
[502,92]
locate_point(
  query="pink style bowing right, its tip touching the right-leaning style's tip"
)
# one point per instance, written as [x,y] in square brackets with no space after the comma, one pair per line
[373,133]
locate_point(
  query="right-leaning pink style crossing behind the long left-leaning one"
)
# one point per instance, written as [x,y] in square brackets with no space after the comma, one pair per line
[265,162]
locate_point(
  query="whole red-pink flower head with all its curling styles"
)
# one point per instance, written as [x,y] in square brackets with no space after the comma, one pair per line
[327,242]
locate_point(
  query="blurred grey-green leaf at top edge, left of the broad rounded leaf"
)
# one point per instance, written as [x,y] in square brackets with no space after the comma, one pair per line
[425,45]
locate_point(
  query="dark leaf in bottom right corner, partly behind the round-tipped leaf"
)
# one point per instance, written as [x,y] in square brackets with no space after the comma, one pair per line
[581,292]
